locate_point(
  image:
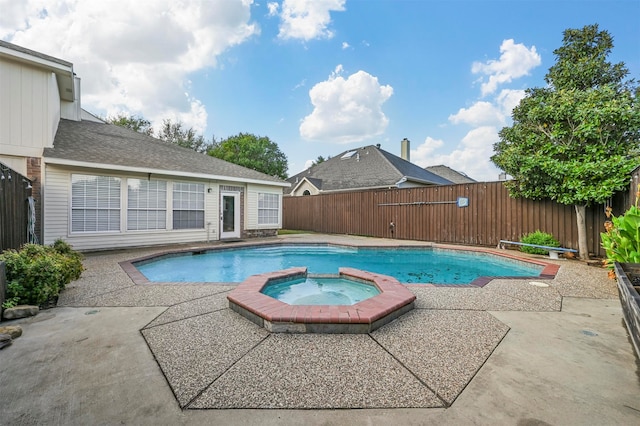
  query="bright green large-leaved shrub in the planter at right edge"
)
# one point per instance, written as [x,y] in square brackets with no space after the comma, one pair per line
[621,242]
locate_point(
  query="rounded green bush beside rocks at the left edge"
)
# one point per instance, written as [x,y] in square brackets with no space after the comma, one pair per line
[37,274]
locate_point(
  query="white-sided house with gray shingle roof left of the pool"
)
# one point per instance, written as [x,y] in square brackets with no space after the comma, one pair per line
[100,186]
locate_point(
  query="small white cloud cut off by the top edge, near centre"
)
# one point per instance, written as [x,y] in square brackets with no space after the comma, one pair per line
[307,19]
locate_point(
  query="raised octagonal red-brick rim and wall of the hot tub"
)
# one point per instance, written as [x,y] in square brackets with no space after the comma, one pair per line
[364,316]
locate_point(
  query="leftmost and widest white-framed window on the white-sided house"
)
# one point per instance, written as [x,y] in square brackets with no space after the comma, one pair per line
[95,203]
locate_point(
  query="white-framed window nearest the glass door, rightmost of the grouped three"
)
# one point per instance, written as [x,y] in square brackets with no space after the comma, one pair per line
[188,205]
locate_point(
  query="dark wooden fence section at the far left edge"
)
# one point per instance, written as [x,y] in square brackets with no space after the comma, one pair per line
[14,208]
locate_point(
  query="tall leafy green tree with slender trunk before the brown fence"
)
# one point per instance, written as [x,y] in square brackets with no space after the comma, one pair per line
[576,140]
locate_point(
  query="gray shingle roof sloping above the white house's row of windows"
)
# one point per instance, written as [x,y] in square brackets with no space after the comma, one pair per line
[107,144]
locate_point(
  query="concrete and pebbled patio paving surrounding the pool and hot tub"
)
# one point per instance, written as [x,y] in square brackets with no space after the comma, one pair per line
[509,353]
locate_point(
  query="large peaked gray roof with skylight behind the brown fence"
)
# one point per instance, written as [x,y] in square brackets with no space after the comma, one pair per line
[368,167]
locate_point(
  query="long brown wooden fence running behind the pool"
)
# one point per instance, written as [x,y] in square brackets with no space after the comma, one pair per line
[432,214]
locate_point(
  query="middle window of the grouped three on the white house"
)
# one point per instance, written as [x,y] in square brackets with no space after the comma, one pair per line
[147,204]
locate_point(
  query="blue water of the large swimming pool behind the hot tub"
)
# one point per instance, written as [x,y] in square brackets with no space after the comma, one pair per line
[407,265]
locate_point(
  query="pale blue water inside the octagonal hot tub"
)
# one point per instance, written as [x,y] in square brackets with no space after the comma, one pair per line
[320,291]
